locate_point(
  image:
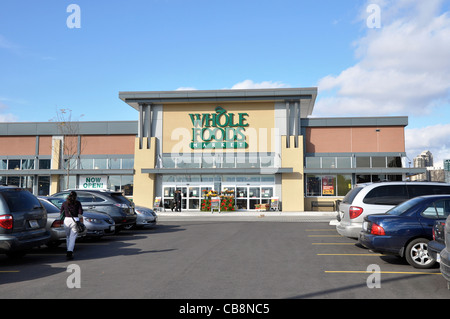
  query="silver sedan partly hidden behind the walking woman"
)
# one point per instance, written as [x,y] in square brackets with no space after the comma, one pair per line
[97,224]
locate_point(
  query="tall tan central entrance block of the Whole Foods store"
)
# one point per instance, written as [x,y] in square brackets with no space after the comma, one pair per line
[243,143]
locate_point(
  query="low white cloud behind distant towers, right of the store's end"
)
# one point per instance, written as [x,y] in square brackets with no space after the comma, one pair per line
[434,138]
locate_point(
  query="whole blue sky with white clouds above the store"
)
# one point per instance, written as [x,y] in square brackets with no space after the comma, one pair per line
[400,68]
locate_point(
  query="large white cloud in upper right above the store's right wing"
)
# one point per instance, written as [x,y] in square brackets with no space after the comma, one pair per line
[403,68]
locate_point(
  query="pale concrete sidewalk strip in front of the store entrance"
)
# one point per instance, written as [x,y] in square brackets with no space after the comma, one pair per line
[310,216]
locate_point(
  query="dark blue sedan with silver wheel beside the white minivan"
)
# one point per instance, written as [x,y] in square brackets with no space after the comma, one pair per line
[406,229]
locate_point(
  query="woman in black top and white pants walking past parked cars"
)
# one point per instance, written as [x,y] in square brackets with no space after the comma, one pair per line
[72,211]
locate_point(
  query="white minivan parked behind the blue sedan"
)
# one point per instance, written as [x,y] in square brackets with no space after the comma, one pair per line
[376,198]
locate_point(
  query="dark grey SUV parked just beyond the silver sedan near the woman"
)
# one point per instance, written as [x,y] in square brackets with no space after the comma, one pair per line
[112,203]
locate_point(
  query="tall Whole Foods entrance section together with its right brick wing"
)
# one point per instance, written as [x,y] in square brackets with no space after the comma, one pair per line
[254,146]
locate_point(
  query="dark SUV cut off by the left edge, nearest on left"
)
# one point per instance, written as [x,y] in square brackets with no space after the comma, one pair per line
[22,221]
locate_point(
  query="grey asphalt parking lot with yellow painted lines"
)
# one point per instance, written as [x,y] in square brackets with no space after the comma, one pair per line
[263,257]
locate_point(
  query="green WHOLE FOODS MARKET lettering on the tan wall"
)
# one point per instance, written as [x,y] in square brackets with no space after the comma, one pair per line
[218,130]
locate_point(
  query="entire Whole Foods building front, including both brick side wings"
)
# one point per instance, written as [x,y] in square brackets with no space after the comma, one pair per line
[258,144]
